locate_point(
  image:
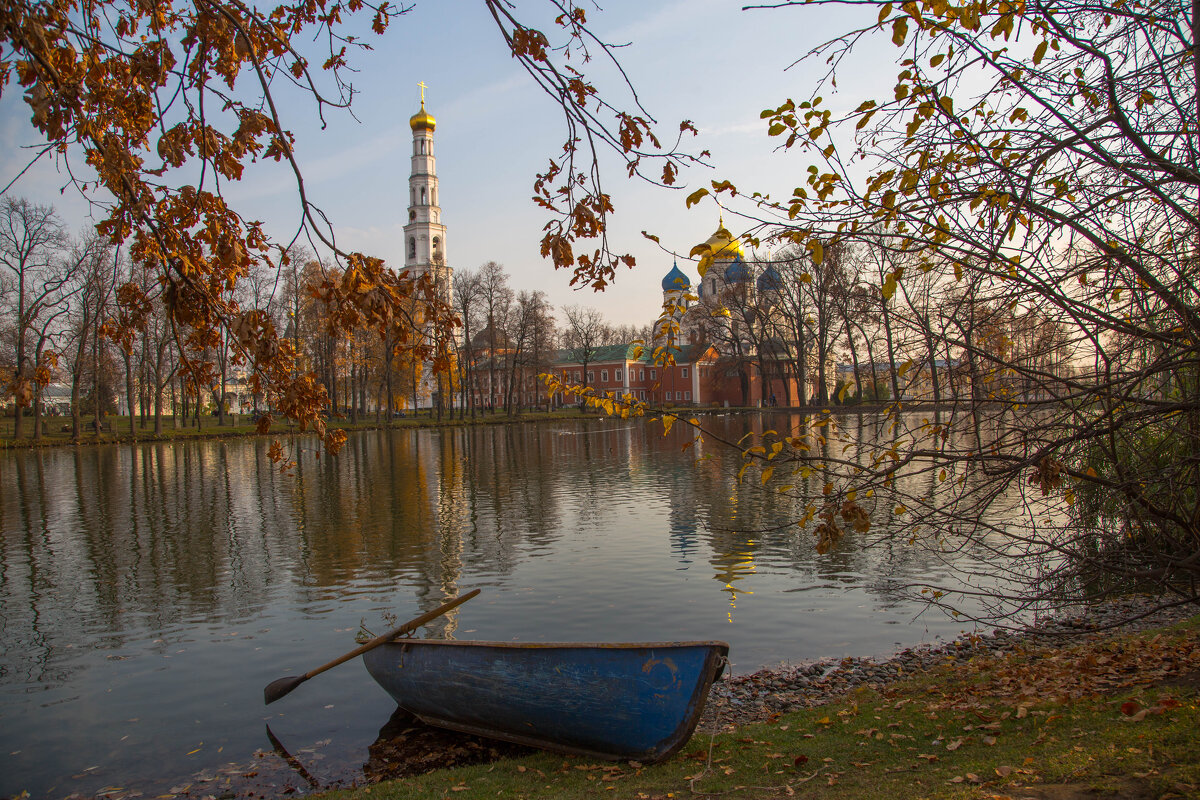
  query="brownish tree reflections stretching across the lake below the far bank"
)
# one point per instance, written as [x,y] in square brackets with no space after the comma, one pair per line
[107,544]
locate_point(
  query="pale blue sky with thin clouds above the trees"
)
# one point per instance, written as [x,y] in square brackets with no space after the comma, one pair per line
[703,61]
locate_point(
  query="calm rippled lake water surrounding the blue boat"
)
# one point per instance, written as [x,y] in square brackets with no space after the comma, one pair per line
[149,593]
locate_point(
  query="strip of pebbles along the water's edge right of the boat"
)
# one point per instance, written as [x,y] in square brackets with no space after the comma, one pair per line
[740,700]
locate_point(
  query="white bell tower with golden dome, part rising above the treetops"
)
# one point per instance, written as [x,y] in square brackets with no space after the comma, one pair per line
[425,237]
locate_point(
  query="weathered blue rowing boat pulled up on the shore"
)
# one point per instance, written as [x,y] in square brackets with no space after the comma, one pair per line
[637,702]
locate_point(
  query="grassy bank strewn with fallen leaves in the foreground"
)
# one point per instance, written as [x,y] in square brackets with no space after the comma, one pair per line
[1115,718]
